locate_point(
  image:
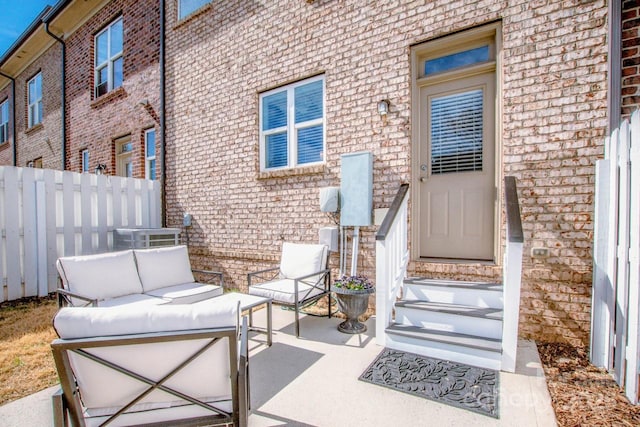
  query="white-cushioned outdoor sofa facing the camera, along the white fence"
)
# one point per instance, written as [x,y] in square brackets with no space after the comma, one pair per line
[140,277]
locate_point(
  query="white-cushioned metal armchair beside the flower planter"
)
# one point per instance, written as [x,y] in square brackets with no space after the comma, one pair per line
[301,278]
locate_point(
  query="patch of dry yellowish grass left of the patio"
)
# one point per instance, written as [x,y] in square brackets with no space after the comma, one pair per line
[26,364]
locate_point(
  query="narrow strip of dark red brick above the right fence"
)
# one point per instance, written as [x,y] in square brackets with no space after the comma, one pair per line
[630,56]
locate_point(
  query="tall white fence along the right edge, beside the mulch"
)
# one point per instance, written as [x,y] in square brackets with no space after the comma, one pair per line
[616,270]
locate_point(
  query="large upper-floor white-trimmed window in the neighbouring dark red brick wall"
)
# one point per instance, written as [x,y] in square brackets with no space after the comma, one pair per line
[108,58]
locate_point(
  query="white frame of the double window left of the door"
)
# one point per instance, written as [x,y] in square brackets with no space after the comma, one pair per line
[292,127]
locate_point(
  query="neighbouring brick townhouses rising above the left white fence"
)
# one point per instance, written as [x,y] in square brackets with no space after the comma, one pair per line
[109,122]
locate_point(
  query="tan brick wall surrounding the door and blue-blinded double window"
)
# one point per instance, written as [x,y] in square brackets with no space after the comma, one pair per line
[553,121]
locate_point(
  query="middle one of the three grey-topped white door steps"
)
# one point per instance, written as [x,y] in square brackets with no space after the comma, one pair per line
[483,322]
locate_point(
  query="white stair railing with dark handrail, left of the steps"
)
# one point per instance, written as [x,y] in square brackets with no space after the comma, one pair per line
[392,257]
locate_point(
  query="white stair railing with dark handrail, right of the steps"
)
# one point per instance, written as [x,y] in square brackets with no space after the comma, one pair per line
[512,276]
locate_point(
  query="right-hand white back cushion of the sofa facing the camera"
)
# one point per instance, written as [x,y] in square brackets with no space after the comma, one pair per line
[163,267]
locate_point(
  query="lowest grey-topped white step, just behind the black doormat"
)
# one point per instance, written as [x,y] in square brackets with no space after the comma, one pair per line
[462,348]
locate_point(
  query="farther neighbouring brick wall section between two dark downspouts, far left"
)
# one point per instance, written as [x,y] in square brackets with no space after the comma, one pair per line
[43,140]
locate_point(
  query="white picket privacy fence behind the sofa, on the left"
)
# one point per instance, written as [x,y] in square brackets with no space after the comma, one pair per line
[45,214]
